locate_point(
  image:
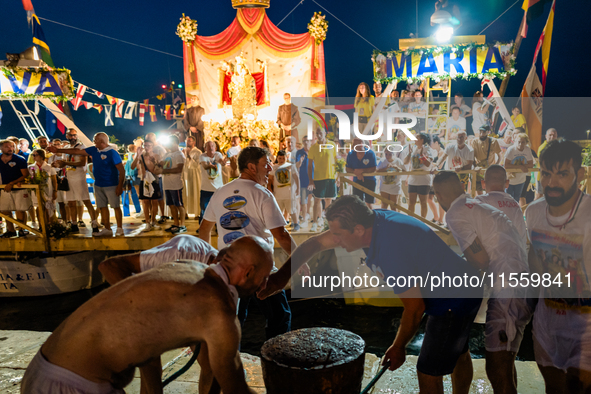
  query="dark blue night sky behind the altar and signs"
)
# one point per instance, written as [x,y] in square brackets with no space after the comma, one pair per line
[133,73]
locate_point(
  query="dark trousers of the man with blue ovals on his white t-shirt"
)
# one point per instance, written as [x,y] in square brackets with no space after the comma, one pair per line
[276,311]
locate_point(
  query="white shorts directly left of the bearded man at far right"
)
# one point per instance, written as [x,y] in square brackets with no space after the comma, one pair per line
[506,319]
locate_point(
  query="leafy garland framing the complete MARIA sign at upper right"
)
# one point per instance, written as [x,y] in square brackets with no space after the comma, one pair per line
[443,49]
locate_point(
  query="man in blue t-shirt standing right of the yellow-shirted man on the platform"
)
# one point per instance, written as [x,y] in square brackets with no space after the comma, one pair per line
[362,160]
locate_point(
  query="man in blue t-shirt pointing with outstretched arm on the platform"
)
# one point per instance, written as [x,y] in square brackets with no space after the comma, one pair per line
[109,176]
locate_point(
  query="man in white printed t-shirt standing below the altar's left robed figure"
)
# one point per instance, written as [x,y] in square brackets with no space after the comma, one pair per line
[211,174]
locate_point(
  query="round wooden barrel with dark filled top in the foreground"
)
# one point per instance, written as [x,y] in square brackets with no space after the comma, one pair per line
[314,361]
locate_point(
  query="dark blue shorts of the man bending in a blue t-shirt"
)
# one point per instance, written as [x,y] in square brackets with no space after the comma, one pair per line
[446,339]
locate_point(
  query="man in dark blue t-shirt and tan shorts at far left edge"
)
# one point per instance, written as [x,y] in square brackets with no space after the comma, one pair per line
[13,170]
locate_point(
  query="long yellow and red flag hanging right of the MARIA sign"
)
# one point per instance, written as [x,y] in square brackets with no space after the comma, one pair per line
[534,89]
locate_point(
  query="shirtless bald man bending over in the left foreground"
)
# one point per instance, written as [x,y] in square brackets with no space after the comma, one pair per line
[129,325]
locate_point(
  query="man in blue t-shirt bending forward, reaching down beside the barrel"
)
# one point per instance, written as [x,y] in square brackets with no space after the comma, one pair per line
[399,246]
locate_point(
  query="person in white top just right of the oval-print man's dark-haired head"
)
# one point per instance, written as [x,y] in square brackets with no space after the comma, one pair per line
[285,182]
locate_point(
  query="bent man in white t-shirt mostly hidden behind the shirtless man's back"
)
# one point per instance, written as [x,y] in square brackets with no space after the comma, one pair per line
[181,247]
